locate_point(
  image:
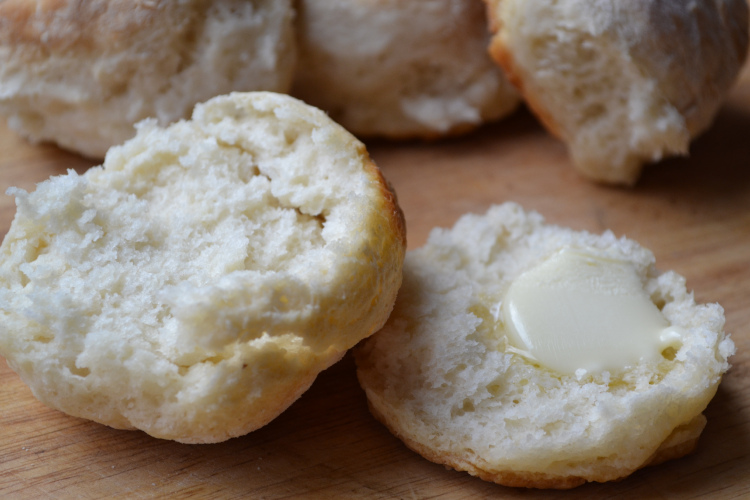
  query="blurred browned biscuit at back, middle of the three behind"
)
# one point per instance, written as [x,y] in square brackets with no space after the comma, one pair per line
[400,68]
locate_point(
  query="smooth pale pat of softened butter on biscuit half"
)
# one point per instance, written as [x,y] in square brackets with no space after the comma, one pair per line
[579,311]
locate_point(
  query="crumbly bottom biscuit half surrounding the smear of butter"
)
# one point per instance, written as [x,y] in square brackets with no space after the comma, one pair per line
[443,376]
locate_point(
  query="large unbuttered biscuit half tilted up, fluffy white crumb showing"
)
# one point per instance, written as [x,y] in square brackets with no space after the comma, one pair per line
[195,284]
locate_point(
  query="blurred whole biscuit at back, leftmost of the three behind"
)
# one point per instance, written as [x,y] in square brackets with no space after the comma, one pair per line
[81,73]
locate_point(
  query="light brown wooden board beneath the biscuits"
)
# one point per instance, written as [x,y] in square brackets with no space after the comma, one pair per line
[693,213]
